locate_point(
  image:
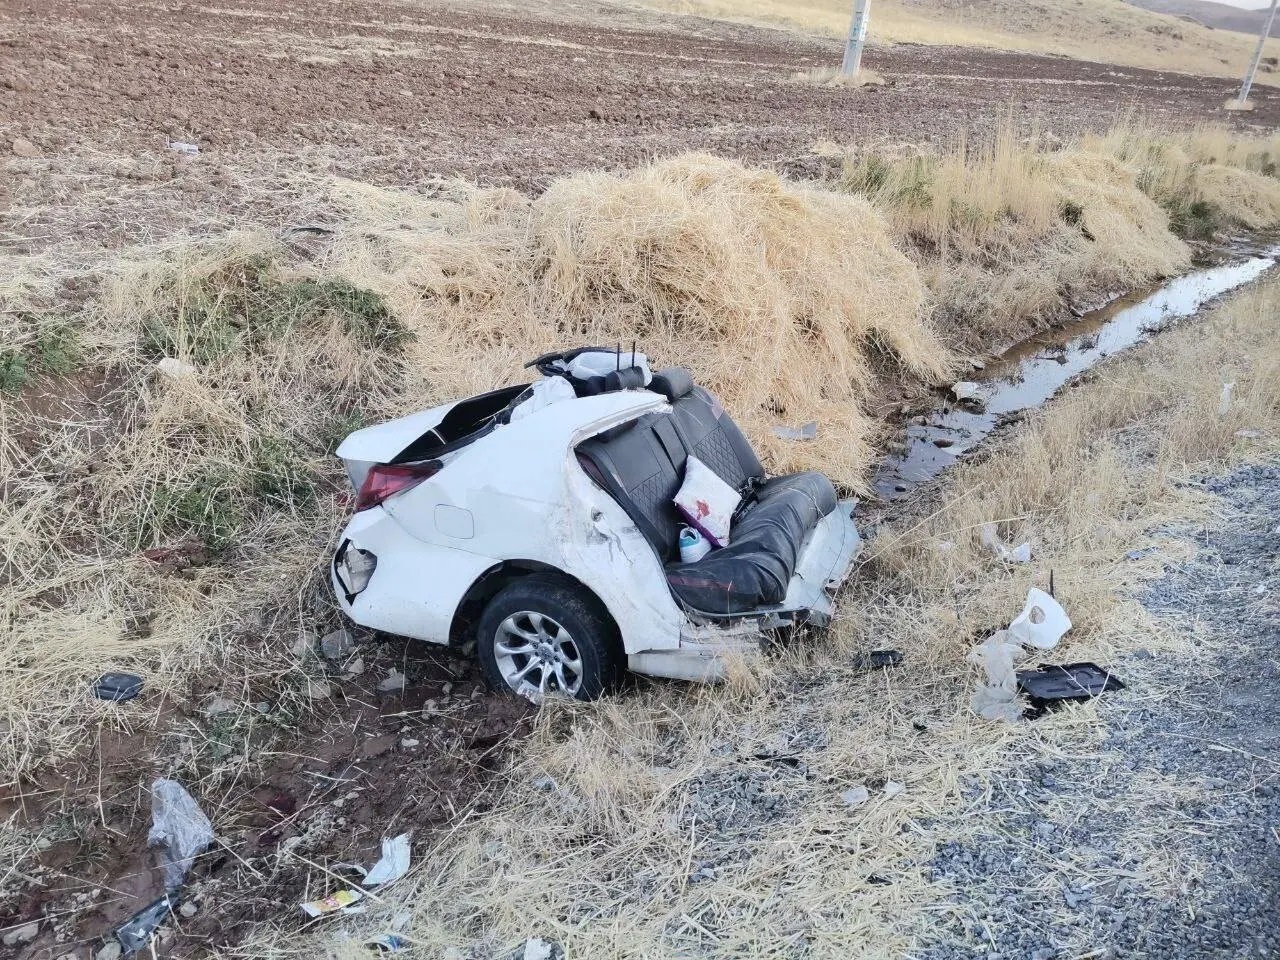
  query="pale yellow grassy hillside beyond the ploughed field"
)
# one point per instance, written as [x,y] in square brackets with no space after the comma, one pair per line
[1109,31]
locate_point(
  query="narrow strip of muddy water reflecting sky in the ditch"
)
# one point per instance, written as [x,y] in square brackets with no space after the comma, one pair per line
[1034,371]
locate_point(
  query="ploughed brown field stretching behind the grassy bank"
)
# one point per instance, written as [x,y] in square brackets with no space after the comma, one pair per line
[276,92]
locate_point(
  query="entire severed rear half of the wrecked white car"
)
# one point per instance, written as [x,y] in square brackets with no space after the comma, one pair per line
[540,524]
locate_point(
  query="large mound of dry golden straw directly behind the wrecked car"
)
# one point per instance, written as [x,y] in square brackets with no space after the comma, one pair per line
[748,278]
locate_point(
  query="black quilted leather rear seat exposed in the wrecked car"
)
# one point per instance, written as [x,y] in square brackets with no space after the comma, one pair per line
[642,465]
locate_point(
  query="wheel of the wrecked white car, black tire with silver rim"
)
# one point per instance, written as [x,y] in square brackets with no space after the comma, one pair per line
[582,625]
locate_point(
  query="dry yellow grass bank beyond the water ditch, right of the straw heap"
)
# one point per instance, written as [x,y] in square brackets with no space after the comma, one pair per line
[1011,234]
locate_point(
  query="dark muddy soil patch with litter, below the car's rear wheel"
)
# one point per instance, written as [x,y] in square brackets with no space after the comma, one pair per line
[292,796]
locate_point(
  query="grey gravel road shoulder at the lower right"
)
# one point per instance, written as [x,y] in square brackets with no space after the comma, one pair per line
[1058,872]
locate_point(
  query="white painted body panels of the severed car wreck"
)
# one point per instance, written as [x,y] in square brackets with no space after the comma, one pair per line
[516,499]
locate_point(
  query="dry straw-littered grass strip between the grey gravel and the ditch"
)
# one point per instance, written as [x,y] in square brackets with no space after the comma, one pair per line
[662,825]
